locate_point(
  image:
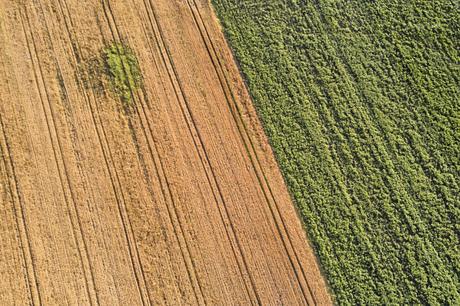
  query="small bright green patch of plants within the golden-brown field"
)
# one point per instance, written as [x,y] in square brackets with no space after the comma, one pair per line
[123,70]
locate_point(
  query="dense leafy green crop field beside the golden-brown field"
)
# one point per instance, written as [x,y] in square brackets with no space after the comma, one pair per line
[360,100]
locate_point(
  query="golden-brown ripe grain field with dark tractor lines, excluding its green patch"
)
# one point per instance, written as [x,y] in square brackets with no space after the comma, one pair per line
[179,201]
